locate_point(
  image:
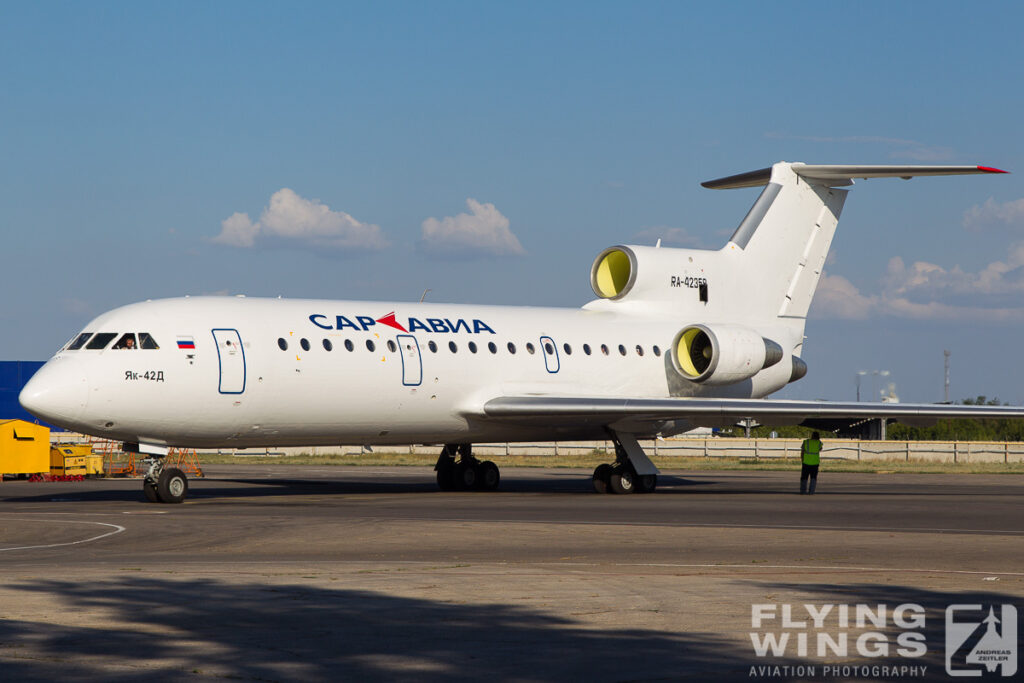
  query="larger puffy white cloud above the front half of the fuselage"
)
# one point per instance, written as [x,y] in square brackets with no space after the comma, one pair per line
[293,221]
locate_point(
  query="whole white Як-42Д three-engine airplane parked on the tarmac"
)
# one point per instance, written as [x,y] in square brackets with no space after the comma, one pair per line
[677,338]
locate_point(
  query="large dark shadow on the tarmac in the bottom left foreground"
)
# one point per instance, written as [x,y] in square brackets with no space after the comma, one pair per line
[257,631]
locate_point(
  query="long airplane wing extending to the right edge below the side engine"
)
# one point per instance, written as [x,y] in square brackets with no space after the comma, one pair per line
[730,410]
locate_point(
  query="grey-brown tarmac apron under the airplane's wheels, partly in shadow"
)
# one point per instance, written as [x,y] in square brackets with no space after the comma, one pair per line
[293,573]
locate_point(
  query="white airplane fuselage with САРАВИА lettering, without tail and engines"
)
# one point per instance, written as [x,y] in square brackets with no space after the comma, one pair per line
[238,388]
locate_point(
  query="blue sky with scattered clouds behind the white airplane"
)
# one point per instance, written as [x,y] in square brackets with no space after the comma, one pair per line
[489,152]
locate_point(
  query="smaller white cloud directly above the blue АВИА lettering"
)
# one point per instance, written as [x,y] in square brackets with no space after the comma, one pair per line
[484,232]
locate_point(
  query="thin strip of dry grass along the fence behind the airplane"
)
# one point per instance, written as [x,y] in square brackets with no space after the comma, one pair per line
[595,459]
